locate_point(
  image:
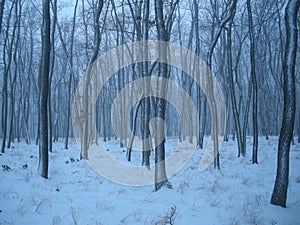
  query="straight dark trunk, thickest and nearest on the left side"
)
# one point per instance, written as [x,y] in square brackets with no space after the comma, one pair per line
[44,79]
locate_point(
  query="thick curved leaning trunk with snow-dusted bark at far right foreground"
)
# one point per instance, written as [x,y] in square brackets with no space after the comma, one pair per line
[279,194]
